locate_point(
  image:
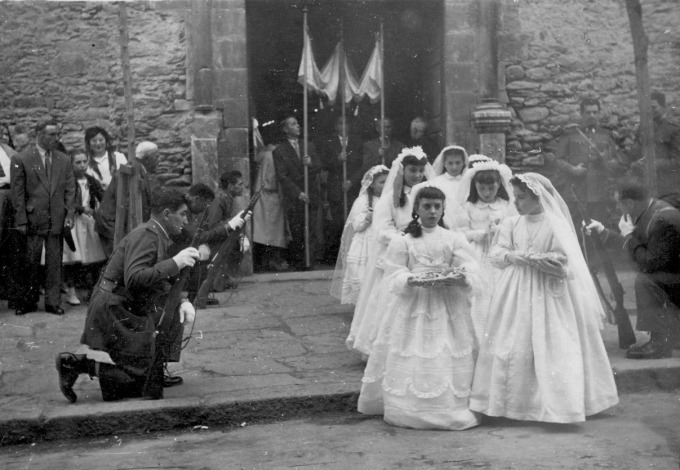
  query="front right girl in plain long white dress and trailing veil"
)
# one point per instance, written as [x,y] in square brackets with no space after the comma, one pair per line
[543,358]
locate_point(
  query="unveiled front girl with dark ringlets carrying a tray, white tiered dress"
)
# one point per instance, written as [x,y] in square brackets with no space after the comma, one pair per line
[420,371]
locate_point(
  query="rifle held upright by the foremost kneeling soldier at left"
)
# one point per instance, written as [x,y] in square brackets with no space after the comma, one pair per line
[153,385]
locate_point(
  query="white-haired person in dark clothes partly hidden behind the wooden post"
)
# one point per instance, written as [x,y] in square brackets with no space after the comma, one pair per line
[146,162]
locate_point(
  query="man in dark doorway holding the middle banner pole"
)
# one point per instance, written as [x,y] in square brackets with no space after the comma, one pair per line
[341,147]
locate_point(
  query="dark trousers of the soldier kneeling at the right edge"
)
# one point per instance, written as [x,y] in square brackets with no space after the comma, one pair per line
[657,296]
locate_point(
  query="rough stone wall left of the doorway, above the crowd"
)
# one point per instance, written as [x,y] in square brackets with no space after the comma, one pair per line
[63,59]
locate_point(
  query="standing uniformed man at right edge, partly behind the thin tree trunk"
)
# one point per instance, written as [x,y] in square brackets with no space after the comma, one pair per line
[666,149]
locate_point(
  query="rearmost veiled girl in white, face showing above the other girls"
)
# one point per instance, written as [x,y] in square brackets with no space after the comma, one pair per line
[450,166]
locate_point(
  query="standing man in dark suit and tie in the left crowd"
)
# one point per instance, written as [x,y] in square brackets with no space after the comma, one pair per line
[43,193]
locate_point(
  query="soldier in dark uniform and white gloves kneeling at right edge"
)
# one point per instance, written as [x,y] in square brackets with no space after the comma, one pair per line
[650,230]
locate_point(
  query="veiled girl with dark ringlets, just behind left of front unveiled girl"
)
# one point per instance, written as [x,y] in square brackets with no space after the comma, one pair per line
[391,215]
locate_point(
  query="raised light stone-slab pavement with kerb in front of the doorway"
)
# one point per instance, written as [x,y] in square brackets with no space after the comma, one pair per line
[272,349]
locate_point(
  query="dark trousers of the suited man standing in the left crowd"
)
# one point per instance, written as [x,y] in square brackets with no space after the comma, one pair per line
[53,254]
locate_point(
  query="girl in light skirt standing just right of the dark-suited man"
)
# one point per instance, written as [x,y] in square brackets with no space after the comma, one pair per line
[89,254]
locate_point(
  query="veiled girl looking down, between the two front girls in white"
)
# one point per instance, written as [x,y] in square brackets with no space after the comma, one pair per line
[486,190]
